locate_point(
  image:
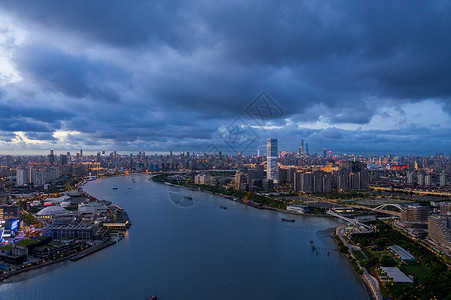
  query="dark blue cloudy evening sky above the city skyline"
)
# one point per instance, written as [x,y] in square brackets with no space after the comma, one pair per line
[351,76]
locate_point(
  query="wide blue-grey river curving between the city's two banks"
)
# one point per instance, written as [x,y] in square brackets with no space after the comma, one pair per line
[201,251]
